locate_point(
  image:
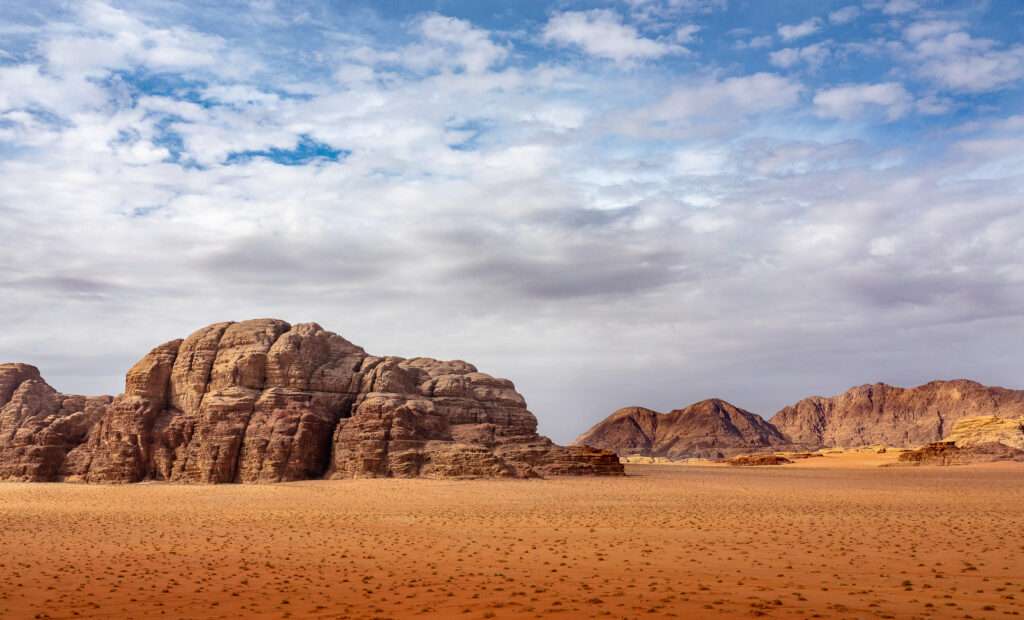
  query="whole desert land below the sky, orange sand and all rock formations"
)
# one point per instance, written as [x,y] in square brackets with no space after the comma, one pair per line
[370,487]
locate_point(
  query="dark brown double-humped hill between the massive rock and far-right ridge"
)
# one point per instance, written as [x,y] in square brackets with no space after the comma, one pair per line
[710,429]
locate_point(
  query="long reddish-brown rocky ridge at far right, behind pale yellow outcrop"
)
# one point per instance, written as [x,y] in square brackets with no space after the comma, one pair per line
[893,417]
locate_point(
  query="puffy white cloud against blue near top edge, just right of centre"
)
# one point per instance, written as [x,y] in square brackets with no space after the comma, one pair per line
[602,33]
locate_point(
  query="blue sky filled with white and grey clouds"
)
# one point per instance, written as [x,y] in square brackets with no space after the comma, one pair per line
[639,202]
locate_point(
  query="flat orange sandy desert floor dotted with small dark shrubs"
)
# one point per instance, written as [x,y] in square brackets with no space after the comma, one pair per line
[806,541]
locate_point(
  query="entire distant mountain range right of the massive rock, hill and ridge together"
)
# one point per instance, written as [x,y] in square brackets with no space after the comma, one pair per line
[962,411]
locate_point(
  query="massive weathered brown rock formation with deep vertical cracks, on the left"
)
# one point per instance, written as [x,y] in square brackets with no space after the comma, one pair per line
[265,401]
